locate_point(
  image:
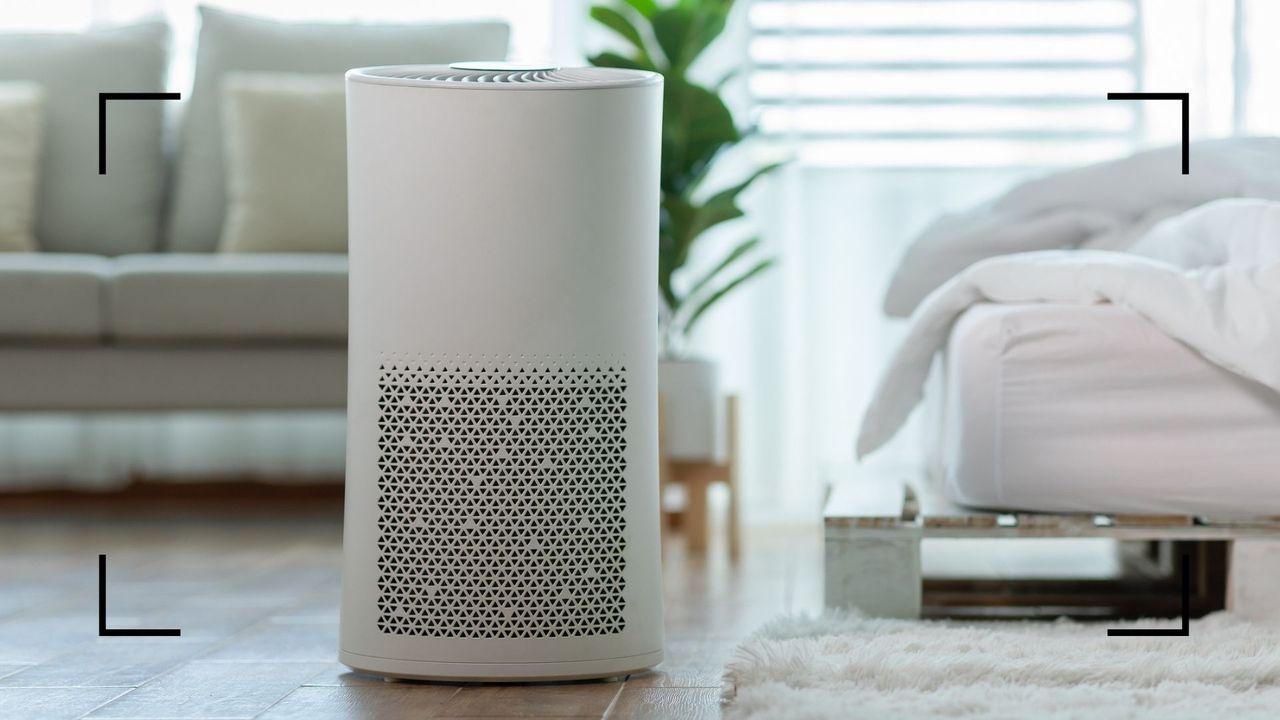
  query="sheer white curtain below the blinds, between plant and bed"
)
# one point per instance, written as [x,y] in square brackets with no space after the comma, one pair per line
[804,345]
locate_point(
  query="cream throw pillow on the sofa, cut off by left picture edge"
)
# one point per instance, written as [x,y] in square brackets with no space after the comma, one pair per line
[21,106]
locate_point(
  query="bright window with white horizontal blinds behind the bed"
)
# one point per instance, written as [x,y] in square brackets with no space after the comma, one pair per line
[948,83]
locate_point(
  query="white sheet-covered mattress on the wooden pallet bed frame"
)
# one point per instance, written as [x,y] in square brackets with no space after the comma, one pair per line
[1091,409]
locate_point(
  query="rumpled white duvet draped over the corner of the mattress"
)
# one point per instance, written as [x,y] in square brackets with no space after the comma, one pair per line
[1209,279]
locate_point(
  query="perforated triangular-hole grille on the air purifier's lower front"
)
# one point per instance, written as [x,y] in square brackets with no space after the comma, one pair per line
[501,500]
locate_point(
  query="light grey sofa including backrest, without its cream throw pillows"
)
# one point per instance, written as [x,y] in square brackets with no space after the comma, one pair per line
[127,303]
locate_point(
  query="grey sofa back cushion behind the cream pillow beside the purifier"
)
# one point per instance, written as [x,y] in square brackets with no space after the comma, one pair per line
[231,43]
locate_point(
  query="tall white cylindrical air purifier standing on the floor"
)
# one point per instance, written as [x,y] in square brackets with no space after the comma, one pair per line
[502,455]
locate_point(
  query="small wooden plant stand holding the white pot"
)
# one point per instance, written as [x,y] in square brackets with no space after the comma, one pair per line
[697,479]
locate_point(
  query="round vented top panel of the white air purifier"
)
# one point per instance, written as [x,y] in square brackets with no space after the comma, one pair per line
[502,76]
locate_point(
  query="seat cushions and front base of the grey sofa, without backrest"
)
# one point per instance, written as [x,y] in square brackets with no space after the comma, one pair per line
[170,331]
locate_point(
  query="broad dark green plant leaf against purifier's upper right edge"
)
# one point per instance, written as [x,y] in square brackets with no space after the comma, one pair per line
[696,125]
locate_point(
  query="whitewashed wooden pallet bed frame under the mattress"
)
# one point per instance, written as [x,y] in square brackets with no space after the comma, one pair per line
[874,530]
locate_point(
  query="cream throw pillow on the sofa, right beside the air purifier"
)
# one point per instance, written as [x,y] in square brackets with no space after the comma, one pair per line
[286,158]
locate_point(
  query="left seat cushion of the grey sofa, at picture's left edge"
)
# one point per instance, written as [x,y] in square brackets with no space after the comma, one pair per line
[52,297]
